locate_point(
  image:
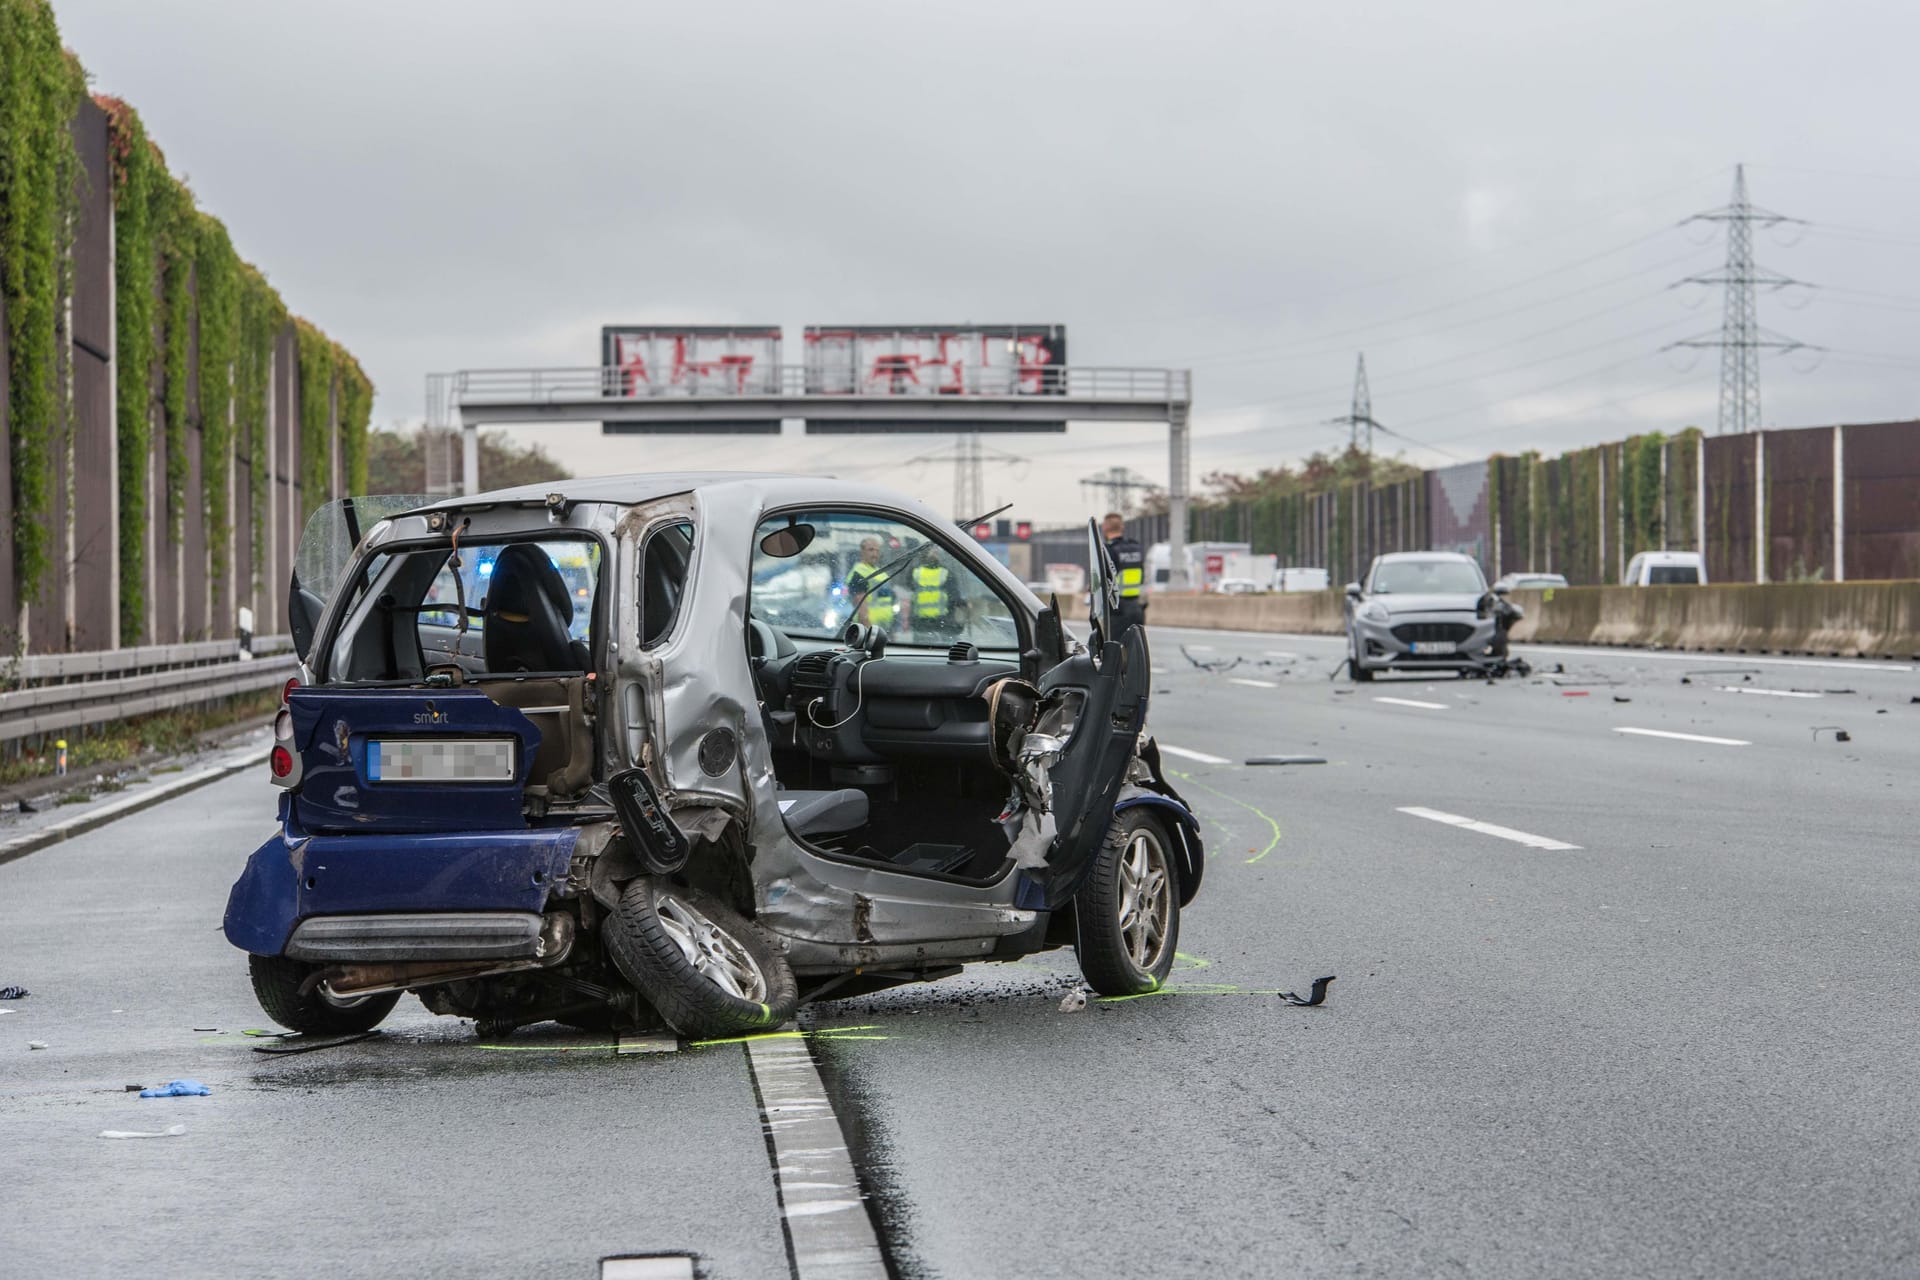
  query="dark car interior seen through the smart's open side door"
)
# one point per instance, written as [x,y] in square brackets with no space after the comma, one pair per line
[876,653]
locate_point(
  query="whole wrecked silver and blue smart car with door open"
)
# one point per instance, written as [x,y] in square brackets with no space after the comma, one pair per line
[694,749]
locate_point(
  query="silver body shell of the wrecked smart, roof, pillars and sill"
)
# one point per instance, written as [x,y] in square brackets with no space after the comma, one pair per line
[830,916]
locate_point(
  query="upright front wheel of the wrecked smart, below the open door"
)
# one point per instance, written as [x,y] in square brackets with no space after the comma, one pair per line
[1122,941]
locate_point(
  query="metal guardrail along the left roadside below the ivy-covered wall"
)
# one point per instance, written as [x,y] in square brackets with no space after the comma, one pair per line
[72,692]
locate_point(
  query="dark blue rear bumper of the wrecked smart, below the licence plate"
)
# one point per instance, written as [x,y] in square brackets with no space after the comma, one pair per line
[297,876]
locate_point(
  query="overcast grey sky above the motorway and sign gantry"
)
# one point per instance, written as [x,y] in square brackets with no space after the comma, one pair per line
[1485,199]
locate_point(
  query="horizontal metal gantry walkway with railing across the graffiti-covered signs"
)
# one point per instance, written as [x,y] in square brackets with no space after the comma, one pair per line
[481,387]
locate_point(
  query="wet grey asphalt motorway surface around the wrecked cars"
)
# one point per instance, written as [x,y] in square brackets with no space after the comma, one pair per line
[1625,987]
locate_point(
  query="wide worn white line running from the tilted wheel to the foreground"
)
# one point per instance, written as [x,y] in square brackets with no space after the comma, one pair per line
[827,1220]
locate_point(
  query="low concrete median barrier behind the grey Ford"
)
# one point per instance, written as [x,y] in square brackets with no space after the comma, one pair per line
[1840,619]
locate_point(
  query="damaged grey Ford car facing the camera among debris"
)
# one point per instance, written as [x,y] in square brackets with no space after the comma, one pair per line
[1445,628]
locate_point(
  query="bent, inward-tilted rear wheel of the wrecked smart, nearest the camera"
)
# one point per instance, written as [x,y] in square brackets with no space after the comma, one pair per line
[706,968]
